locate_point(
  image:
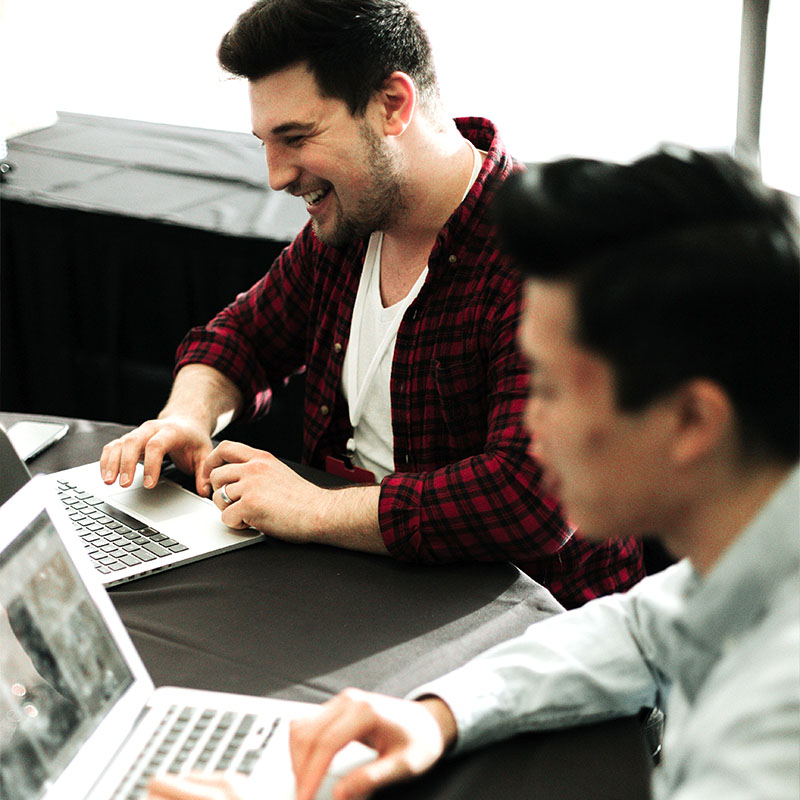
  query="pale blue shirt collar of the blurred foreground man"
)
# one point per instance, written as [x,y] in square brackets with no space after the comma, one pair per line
[741,587]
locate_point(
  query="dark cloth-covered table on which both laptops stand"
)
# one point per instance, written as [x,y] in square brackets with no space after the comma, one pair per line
[303,622]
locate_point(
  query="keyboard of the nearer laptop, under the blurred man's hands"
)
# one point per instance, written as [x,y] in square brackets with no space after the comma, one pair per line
[189,739]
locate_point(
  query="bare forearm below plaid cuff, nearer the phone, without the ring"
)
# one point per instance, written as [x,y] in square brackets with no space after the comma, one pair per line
[204,395]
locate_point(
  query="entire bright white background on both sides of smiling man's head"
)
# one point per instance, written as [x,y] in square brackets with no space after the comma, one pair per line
[609,79]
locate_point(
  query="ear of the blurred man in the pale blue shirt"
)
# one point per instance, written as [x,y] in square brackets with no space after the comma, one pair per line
[705,417]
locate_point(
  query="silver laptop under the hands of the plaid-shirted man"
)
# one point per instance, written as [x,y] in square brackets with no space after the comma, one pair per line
[132,532]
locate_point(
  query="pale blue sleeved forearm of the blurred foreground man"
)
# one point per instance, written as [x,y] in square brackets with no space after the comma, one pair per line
[578,667]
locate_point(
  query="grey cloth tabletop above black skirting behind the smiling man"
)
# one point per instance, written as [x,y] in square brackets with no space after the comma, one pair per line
[204,179]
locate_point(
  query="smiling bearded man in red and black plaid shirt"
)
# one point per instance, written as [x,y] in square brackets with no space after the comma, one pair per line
[397,302]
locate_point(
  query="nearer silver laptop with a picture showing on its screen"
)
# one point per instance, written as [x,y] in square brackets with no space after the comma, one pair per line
[79,717]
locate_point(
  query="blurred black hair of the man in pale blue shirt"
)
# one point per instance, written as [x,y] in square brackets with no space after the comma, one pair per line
[684,265]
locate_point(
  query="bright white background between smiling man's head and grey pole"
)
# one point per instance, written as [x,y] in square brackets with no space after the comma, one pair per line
[610,79]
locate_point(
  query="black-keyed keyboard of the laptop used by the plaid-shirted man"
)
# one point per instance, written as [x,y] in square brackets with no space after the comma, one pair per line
[113,539]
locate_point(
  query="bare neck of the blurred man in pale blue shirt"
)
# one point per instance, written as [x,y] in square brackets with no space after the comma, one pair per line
[720,513]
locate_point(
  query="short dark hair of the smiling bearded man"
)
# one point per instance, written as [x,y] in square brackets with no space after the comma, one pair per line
[351,46]
